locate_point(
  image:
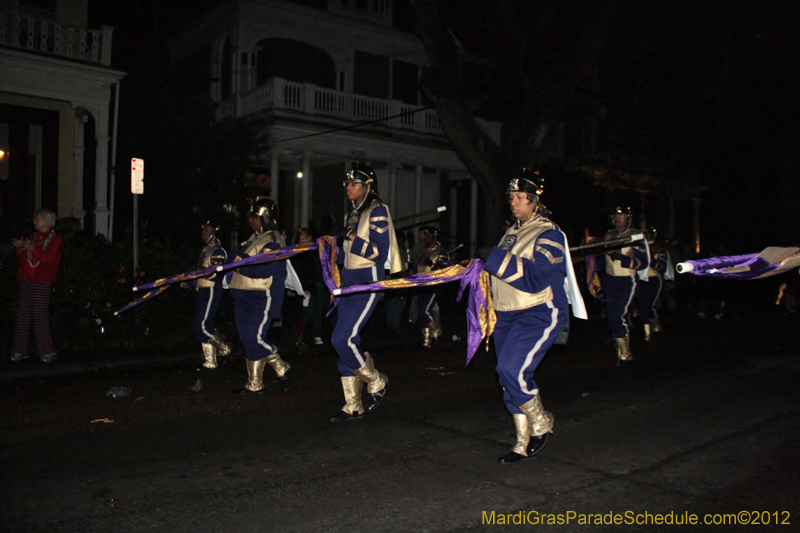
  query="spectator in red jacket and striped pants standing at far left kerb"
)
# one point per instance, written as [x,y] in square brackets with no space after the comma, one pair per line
[39,259]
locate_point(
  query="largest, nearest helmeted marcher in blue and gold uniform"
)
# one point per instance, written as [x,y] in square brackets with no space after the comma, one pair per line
[528,287]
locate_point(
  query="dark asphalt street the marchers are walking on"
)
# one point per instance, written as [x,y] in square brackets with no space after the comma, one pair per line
[706,425]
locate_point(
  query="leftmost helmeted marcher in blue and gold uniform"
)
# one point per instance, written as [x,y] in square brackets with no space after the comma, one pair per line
[209,298]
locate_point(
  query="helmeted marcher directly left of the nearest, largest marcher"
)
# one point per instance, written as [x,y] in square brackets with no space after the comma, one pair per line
[369,249]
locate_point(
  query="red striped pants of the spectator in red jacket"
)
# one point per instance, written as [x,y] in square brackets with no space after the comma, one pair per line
[34,302]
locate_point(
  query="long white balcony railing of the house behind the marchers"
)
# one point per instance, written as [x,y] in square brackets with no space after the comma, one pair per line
[280,94]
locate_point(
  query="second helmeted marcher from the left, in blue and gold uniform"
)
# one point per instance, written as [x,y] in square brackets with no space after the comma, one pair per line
[258,292]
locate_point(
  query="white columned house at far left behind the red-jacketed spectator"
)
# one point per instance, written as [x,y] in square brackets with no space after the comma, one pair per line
[56,93]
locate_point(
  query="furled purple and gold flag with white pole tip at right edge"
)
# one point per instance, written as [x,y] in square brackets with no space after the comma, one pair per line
[768,262]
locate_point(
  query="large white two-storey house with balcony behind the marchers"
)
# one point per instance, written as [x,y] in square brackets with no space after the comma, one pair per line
[332,82]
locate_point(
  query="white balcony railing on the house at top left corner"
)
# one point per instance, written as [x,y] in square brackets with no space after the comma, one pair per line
[47,37]
